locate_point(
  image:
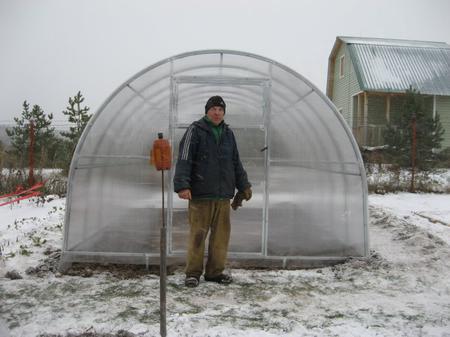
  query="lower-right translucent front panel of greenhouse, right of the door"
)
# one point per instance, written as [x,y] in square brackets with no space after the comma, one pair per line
[310,213]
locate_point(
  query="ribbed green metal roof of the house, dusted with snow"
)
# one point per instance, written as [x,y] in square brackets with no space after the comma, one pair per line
[389,65]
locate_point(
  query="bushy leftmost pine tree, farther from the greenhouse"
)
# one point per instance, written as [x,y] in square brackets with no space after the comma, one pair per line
[44,134]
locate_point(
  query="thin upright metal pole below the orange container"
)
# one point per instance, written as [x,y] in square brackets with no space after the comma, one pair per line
[162,268]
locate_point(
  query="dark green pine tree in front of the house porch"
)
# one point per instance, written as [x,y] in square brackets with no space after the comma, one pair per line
[429,133]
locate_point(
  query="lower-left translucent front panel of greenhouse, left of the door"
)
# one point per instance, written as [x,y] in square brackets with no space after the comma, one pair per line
[112,211]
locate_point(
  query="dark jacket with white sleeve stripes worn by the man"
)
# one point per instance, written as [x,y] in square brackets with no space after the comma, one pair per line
[209,169]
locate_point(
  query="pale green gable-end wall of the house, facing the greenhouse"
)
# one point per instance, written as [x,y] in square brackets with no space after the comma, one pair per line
[344,88]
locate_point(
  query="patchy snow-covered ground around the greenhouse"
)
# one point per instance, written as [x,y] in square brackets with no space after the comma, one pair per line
[401,289]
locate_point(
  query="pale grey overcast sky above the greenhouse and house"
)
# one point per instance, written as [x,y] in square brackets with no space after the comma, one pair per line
[50,49]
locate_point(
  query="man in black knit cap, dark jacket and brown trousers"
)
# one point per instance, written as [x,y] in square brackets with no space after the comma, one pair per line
[207,173]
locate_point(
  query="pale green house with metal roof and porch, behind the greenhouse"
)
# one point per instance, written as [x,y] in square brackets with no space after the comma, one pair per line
[368,77]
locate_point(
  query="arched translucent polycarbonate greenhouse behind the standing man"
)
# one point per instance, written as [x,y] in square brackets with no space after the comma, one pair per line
[309,204]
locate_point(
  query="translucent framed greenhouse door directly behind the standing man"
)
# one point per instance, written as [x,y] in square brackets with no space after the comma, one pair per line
[248,119]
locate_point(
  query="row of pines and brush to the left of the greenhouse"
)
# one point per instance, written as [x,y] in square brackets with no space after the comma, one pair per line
[33,131]
